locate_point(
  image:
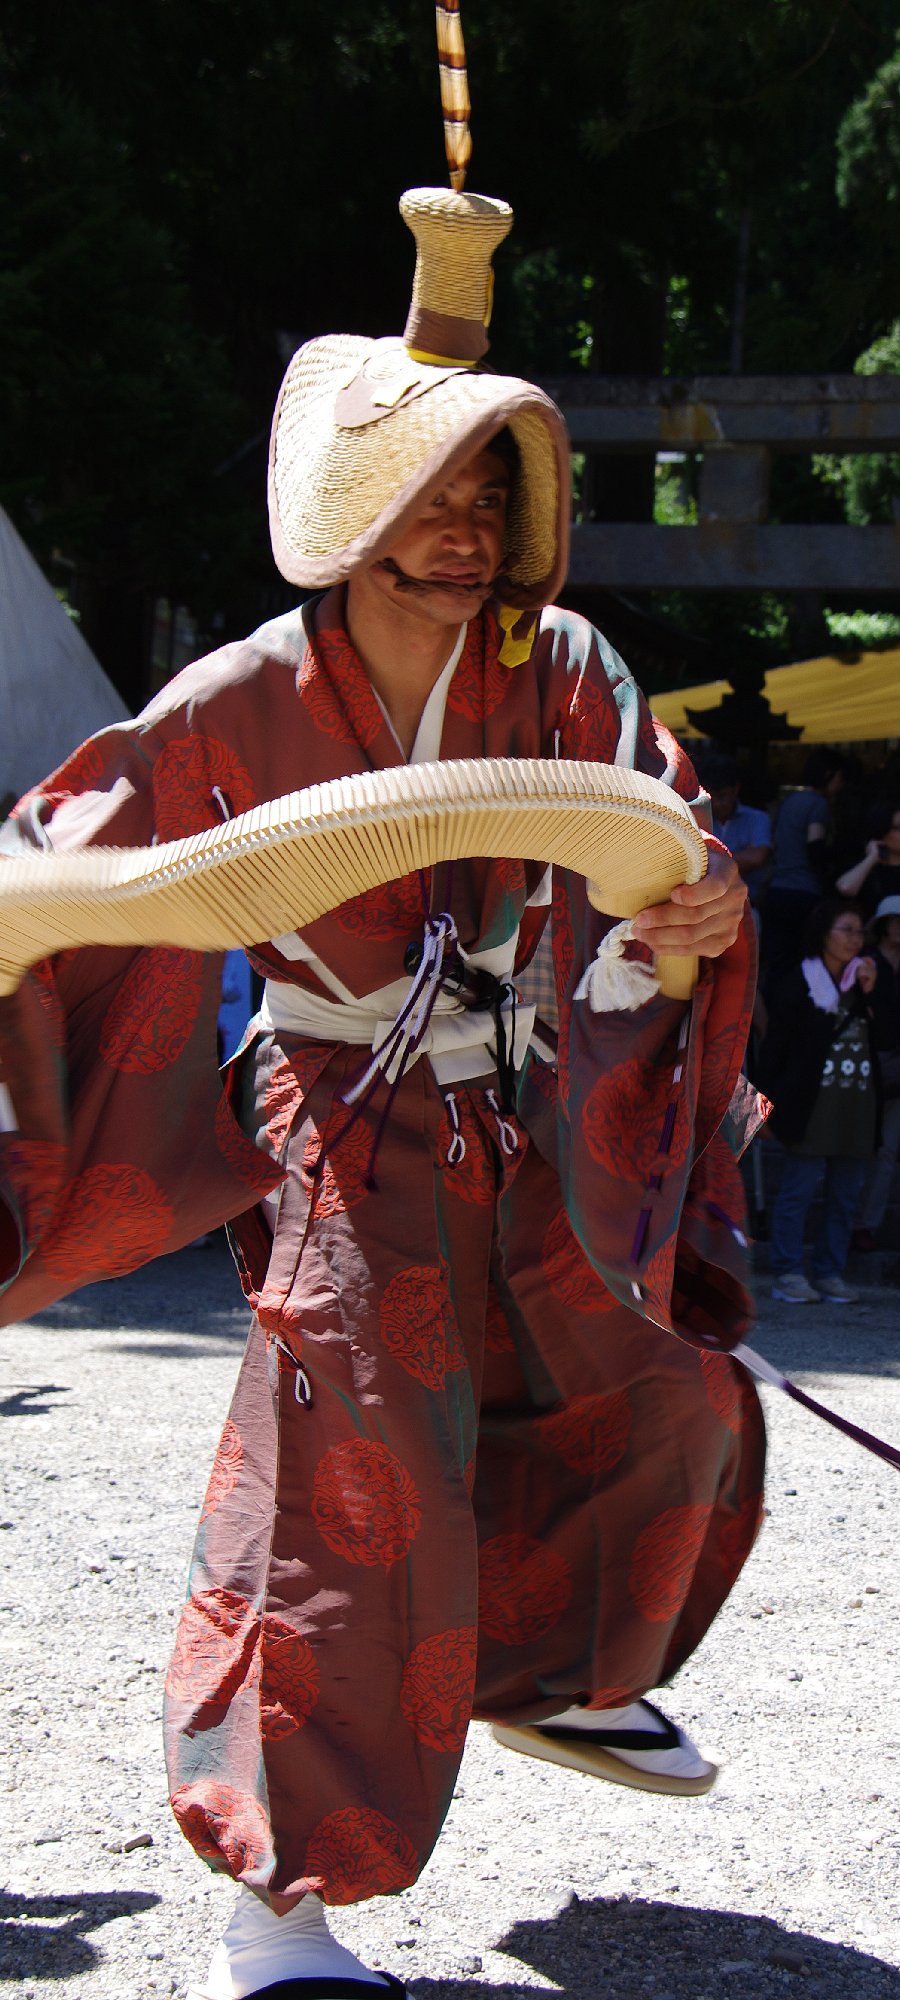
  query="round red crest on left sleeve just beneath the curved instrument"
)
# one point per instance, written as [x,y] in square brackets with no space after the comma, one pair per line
[153,1013]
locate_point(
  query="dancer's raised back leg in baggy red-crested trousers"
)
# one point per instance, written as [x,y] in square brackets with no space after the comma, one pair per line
[619,1483]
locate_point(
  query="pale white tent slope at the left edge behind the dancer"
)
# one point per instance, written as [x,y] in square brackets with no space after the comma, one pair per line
[53,693]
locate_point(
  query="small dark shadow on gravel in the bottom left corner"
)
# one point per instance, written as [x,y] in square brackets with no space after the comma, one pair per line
[49,1937]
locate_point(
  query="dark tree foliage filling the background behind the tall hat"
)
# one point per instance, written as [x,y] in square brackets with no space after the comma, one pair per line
[191,187]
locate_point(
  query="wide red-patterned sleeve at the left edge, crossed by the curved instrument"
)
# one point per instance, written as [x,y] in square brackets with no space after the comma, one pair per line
[117,1137]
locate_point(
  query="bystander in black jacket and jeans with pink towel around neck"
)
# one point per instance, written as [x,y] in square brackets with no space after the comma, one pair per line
[819,1065]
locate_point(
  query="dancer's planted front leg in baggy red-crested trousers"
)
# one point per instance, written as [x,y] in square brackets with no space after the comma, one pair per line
[325,1669]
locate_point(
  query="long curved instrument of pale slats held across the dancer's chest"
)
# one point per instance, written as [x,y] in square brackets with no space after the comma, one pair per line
[287,863]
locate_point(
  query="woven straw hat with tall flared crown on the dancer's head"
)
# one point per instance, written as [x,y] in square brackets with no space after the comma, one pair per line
[365,431]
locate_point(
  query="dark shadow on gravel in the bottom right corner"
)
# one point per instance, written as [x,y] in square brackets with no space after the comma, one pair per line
[653,1951]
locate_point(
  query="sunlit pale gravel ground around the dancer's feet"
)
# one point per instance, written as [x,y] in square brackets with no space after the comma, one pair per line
[783,1881]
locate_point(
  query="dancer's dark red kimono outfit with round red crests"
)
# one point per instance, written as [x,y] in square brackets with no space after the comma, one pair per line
[469,1469]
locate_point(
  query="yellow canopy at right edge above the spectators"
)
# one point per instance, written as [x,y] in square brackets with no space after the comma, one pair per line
[833,701]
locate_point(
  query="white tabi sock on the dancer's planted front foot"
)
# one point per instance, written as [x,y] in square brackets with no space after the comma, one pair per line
[261,1949]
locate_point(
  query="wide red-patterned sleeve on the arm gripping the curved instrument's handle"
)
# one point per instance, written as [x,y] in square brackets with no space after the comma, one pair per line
[653,1111]
